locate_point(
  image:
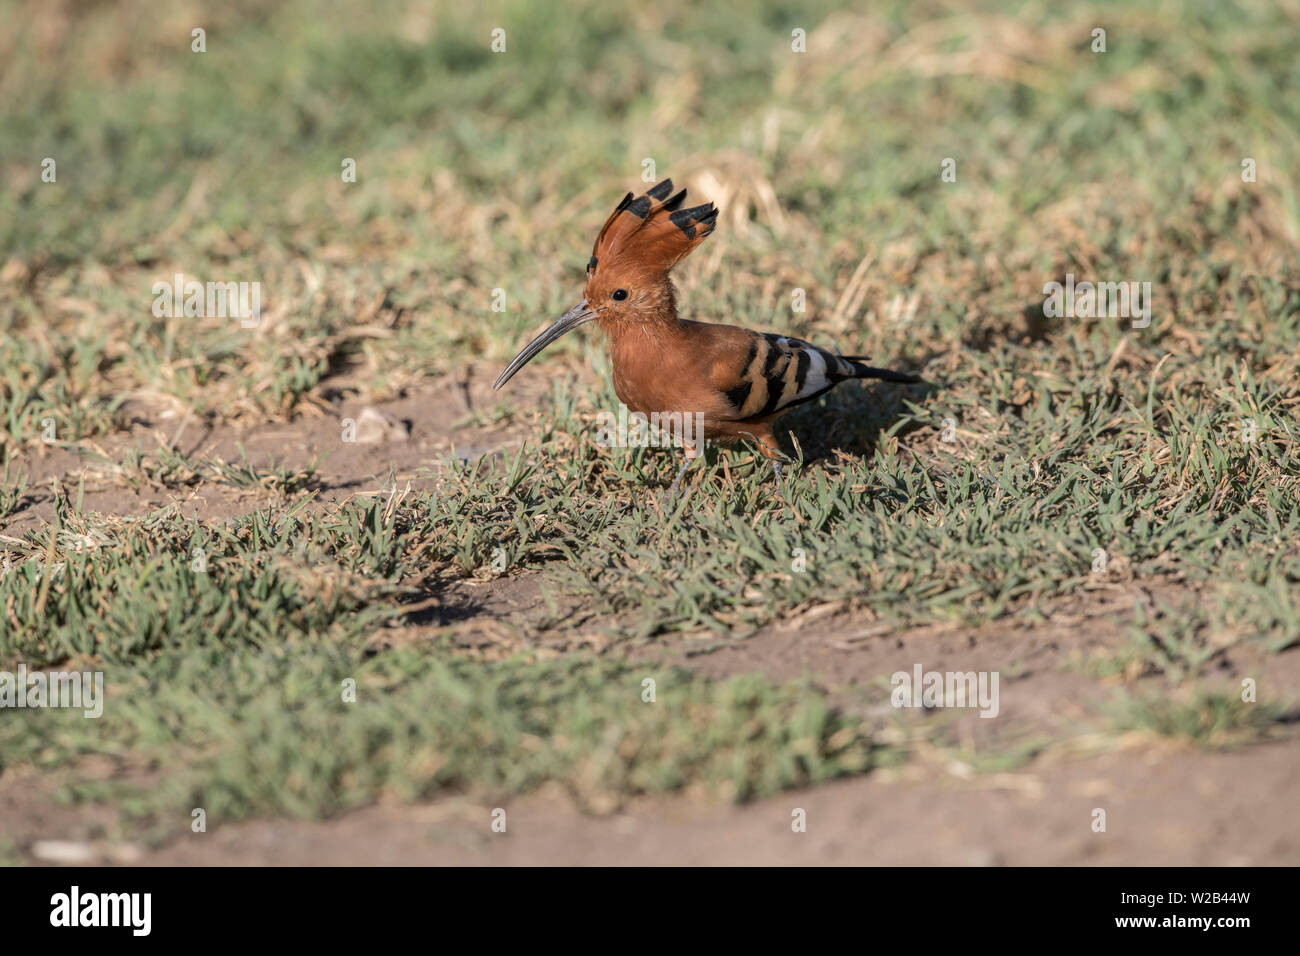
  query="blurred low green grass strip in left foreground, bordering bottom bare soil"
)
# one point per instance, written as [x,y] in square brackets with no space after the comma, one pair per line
[424,726]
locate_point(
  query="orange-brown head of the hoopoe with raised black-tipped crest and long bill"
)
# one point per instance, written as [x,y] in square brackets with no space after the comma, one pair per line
[627,276]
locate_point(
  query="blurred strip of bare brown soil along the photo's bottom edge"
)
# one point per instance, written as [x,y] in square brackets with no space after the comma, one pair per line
[1163,806]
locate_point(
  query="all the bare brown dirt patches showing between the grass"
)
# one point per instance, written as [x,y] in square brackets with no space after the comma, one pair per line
[1165,803]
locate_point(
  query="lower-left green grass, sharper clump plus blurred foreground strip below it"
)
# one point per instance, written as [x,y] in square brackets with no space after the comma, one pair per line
[236,674]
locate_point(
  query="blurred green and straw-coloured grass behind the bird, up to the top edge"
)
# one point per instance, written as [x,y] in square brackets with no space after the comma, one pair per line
[482,171]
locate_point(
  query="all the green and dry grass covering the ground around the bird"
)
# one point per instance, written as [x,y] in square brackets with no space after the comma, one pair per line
[482,172]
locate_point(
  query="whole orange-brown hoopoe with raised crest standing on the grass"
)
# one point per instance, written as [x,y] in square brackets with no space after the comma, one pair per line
[739,382]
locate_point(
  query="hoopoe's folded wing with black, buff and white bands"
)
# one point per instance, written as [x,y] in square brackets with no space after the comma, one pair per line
[778,373]
